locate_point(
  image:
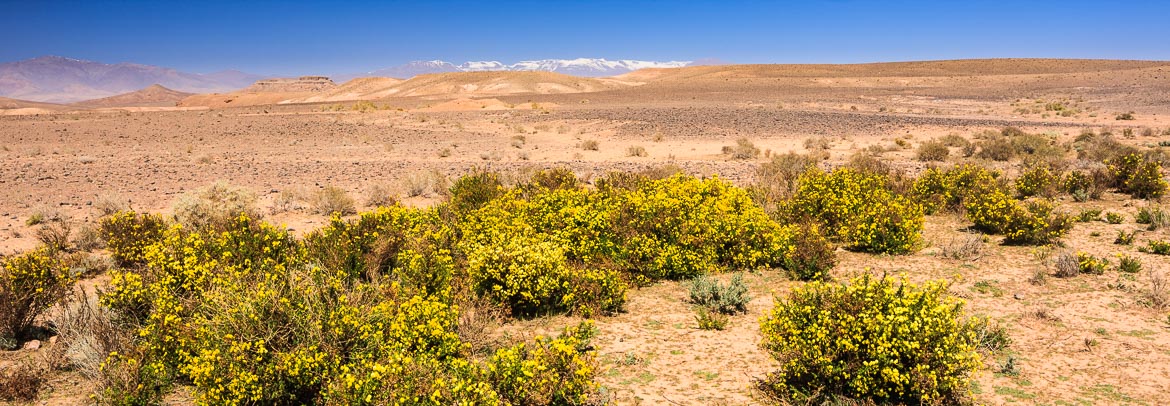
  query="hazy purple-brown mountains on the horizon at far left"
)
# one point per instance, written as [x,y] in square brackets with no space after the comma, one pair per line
[63,80]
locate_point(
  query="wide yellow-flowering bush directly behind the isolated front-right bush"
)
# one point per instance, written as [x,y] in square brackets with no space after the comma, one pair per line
[859,210]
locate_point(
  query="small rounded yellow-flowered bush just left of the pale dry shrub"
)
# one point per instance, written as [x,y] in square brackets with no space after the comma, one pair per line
[128,235]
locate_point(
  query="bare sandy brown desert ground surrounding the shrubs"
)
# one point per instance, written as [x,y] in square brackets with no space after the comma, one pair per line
[1088,340]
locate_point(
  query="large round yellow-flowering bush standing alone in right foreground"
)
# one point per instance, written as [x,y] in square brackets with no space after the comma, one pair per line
[834,340]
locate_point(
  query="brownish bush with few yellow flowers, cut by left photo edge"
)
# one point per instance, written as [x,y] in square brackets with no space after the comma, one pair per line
[30,284]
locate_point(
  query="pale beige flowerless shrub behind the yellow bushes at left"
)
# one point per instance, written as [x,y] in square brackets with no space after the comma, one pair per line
[215,205]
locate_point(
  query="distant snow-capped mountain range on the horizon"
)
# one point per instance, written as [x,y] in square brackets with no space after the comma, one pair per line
[579,67]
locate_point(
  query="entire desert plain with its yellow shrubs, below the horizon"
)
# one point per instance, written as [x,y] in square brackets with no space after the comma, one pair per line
[953,232]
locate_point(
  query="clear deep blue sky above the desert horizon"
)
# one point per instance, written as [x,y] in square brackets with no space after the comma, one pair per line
[329,38]
